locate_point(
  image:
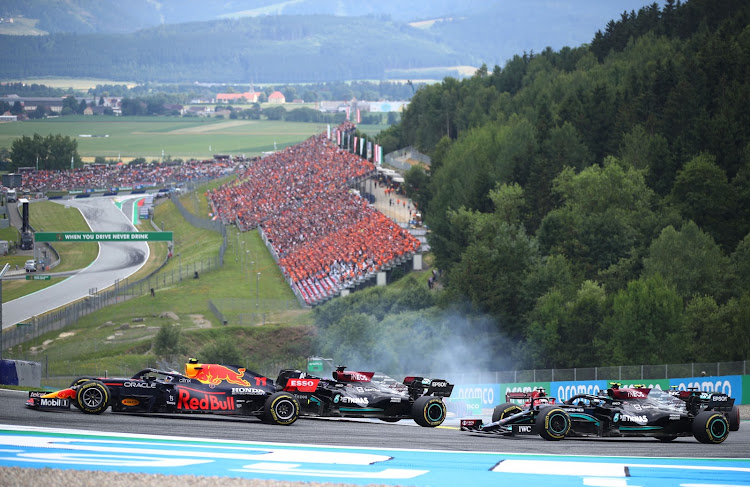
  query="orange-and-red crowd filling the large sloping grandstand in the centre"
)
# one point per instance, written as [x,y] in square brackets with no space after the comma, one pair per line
[325,236]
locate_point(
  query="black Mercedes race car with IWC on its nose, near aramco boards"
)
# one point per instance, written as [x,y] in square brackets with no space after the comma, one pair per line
[636,411]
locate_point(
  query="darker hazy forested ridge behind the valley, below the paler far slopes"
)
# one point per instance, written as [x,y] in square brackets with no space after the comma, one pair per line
[288,49]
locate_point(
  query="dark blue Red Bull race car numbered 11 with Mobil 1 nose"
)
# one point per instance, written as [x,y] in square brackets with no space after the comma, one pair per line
[203,388]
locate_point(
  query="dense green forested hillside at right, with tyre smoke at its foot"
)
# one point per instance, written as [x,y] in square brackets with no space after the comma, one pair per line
[586,207]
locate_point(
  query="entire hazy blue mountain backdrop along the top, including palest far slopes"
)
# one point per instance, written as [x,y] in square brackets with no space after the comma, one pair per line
[285,41]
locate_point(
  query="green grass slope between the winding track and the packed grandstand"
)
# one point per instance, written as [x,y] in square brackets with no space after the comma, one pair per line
[100,343]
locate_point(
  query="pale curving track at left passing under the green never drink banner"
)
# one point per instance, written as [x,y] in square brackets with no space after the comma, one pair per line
[116,261]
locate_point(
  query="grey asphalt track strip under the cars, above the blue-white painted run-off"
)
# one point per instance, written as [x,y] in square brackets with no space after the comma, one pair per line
[364,433]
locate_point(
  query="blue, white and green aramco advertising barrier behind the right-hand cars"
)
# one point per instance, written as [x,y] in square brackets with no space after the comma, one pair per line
[491,395]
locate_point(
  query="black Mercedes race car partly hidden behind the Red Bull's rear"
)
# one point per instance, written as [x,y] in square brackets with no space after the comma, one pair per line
[368,395]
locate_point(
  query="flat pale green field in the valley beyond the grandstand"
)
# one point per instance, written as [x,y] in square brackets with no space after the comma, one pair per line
[129,137]
